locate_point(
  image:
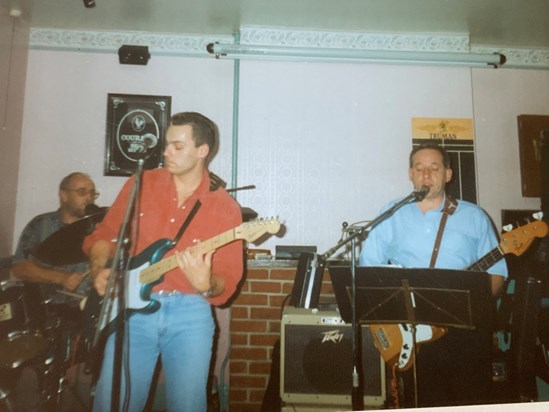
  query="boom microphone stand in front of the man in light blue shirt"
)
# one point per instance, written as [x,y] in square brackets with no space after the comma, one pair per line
[415,196]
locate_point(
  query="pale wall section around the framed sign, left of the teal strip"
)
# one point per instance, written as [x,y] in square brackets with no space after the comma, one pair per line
[65,116]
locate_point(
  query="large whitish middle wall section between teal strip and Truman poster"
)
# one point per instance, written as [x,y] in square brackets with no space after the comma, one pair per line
[334,139]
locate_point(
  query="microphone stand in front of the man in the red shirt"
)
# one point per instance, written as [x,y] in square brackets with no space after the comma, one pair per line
[116,287]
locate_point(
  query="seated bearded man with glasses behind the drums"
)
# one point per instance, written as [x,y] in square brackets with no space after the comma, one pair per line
[60,287]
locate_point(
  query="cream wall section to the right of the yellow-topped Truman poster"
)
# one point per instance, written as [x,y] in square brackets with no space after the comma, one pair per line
[499,97]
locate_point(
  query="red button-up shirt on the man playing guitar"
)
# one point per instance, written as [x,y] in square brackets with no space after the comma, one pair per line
[160,217]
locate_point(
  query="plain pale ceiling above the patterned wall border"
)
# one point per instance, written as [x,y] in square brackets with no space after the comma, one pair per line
[500,23]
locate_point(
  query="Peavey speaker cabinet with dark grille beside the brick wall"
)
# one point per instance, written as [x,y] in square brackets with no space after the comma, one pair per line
[316,361]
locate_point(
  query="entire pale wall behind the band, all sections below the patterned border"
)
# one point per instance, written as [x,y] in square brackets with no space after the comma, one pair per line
[323,143]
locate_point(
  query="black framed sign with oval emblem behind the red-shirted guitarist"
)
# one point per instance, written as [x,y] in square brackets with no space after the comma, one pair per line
[136,125]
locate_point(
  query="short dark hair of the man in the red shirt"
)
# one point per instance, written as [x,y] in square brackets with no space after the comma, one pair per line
[205,131]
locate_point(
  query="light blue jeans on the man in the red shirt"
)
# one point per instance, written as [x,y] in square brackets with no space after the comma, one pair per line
[181,332]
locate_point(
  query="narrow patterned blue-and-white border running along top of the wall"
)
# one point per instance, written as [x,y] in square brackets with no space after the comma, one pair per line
[195,45]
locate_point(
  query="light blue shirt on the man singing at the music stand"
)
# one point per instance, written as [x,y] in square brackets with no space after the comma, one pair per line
[408,236]
